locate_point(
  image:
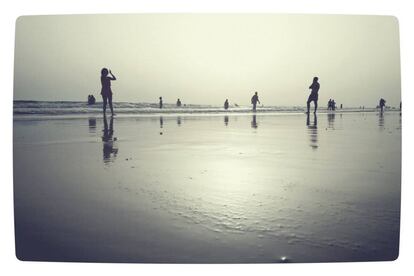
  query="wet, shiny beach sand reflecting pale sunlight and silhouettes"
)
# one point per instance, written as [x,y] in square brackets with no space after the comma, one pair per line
[199,189]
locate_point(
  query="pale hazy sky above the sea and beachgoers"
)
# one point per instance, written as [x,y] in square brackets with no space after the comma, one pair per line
[208,58]
